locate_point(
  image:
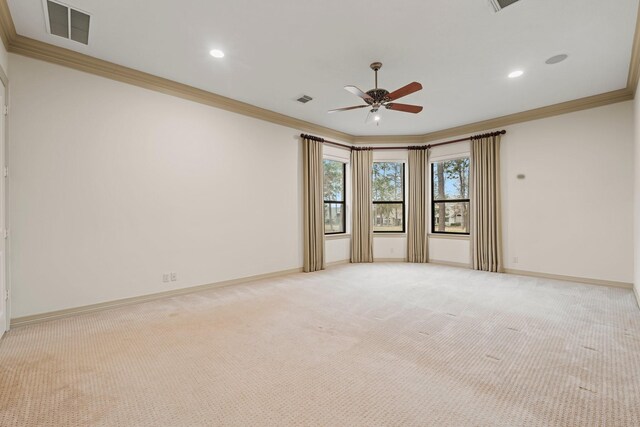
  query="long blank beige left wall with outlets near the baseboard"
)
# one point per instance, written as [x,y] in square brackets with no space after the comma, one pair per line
[113,185]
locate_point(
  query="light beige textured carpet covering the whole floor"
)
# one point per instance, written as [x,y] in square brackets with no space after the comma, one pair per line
[357,345]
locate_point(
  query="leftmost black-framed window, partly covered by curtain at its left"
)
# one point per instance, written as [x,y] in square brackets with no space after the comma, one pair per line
[334,196]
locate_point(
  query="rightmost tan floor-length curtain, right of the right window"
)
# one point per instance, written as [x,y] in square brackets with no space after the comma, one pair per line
[486,223]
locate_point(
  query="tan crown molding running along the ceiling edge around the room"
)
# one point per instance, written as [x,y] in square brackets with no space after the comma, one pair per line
[21,45]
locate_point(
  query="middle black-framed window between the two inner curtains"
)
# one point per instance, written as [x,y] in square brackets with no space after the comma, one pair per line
[388,197]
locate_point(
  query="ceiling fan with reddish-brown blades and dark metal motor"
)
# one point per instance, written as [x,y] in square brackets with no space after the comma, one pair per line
[378,97]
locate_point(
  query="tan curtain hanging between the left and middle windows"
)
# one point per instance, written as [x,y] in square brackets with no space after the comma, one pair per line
[362,217]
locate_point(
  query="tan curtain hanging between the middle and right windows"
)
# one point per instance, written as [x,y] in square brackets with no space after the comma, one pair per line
[417,241]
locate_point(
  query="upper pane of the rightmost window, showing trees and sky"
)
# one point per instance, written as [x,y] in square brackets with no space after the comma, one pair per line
[451,179]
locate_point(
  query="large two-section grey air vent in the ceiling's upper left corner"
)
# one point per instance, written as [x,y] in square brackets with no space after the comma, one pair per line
[67,22]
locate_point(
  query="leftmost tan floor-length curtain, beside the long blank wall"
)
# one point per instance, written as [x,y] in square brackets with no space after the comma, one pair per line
[313,205]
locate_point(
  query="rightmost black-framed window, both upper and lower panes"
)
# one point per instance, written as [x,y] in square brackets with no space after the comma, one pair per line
[450,196]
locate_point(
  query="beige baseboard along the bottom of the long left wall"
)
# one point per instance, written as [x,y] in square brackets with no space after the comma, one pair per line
[69,312]
